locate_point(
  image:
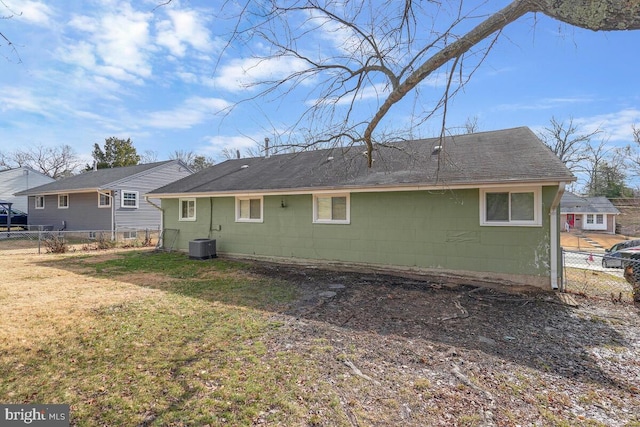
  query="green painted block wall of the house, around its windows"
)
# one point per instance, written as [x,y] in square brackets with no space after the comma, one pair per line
[415,228]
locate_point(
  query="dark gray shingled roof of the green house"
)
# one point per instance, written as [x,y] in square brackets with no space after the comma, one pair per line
[504,156]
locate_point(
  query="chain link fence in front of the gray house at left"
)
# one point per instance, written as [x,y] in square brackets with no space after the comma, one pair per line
[53,241]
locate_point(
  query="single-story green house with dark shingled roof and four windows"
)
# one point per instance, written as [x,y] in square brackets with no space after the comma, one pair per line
[484,205]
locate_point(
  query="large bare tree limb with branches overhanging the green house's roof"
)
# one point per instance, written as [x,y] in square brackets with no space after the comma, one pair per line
[388,49]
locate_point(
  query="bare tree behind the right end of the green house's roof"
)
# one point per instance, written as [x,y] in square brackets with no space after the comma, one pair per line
[566,141]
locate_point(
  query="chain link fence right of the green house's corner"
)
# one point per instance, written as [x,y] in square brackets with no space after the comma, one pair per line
[596,275]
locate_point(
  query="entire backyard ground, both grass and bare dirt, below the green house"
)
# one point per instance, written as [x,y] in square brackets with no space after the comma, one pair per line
[139,338]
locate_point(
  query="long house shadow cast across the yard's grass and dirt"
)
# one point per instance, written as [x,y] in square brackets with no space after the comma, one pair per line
[534,331]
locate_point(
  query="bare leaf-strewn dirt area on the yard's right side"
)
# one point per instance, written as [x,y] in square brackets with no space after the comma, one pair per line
[419,352]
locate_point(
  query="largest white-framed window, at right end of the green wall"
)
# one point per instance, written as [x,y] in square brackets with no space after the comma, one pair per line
[514,206]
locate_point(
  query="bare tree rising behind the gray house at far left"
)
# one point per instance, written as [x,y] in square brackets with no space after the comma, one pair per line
[56,162]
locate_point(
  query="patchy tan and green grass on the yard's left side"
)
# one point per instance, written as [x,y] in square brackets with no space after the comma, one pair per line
[145,338]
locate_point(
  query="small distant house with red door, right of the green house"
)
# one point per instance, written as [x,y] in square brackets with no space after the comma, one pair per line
[588,213]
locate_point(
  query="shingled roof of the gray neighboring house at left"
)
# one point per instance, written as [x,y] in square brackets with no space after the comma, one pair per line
[91,180]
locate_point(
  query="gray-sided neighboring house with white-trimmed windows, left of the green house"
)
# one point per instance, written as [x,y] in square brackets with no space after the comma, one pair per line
[104,199]
